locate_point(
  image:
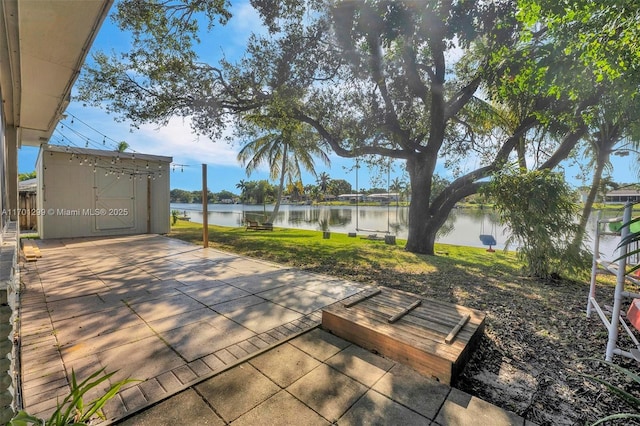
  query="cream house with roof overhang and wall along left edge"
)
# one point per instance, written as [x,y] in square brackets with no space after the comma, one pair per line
[43,45]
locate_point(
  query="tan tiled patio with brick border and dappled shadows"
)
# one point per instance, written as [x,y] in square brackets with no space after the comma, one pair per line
[214,338]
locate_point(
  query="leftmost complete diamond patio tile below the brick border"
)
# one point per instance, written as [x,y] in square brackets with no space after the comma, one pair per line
[237,391]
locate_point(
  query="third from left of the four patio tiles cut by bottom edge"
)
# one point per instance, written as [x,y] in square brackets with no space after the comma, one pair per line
[376,409]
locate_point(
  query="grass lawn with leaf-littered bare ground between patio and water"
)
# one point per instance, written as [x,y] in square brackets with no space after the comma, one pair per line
[537,335]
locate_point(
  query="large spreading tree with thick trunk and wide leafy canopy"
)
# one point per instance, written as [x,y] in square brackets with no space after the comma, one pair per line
[376,79]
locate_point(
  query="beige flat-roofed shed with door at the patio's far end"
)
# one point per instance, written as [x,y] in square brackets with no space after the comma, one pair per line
[89,192]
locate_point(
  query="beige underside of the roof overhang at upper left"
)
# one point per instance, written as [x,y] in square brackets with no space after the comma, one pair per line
[43,44]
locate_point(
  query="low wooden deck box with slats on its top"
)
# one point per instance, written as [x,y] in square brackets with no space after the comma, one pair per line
[434,338]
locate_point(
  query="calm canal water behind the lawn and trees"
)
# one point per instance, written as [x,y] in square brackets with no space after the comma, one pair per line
[463,227]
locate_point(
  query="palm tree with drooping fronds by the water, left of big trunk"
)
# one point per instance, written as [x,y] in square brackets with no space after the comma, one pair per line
[287,149]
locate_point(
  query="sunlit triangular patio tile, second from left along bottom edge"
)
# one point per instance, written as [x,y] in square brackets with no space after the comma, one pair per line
[281,409]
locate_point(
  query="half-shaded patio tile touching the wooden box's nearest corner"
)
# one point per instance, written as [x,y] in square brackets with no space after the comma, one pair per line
[409,388]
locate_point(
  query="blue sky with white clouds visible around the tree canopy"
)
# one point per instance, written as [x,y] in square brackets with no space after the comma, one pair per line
[190,151]
